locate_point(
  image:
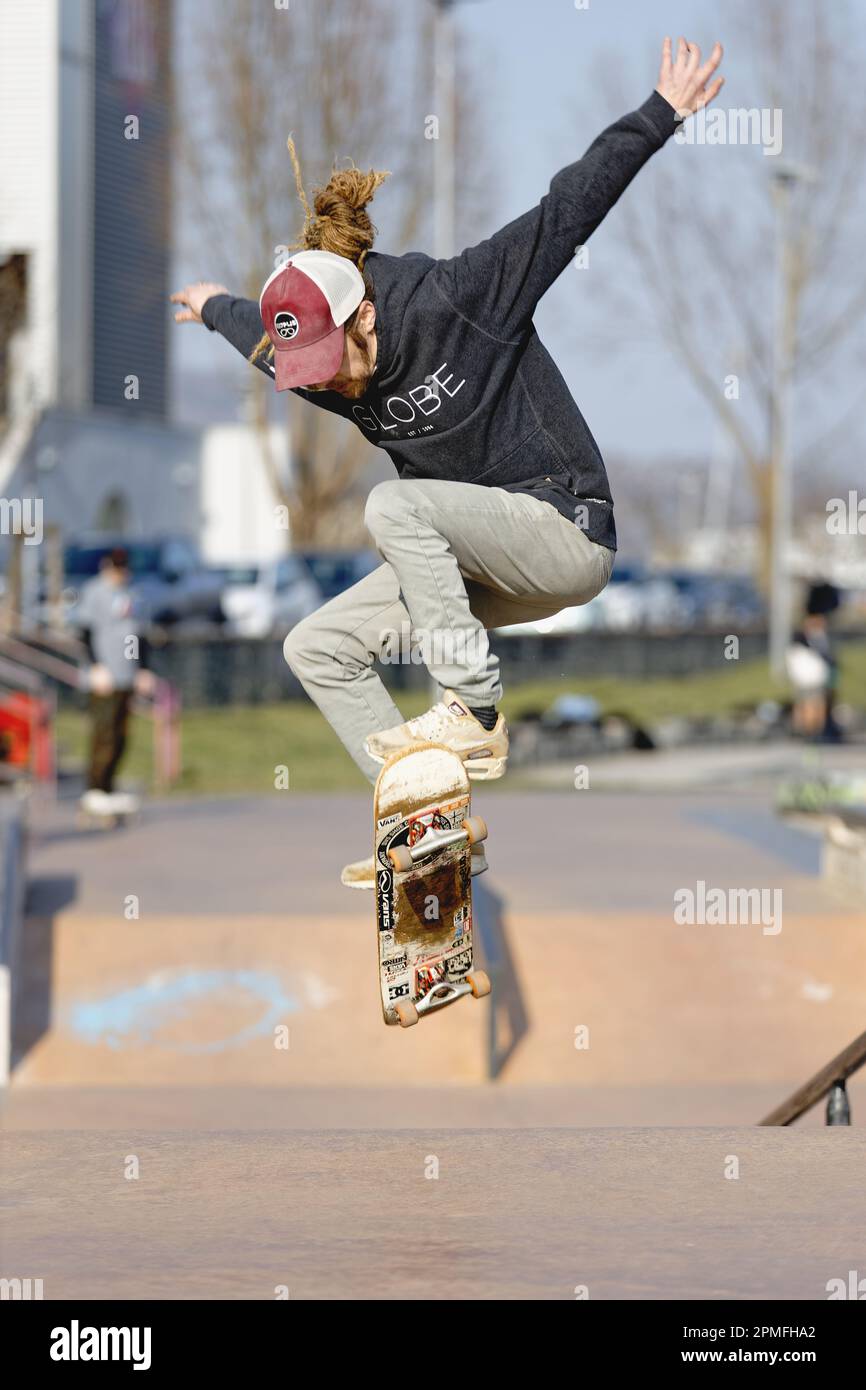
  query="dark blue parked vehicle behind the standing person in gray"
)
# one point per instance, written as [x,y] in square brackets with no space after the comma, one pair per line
[170,584]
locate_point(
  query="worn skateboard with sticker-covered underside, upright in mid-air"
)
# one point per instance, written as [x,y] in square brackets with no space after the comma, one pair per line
[422,856]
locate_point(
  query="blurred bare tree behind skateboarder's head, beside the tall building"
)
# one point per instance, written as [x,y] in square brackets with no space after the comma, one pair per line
[347,81]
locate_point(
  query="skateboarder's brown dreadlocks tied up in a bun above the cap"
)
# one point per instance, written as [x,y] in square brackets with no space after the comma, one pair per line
[338,222]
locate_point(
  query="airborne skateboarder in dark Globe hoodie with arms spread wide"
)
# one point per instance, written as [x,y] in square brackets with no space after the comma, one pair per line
[503,511]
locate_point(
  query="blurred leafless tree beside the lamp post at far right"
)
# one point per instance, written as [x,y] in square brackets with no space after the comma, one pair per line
[698,243]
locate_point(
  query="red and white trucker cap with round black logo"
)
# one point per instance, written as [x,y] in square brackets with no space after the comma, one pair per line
[304,309]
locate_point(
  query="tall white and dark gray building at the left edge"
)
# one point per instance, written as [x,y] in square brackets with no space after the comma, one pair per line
[85,255]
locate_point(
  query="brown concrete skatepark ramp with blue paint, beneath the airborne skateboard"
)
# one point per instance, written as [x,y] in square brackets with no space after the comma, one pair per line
[224,1042]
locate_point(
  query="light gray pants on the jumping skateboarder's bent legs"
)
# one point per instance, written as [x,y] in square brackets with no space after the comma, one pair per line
[459,559]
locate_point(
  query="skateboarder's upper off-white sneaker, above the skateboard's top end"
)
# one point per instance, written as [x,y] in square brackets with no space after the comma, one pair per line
[451,722]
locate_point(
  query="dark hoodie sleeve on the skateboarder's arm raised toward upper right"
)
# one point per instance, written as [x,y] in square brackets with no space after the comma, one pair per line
[498,283]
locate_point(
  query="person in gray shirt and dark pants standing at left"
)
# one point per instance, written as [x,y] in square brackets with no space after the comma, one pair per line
[109,626]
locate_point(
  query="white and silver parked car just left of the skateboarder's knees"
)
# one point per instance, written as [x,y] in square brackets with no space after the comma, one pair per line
[263,600]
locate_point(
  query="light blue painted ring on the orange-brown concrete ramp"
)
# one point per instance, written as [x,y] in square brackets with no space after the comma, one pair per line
[140,1014]
